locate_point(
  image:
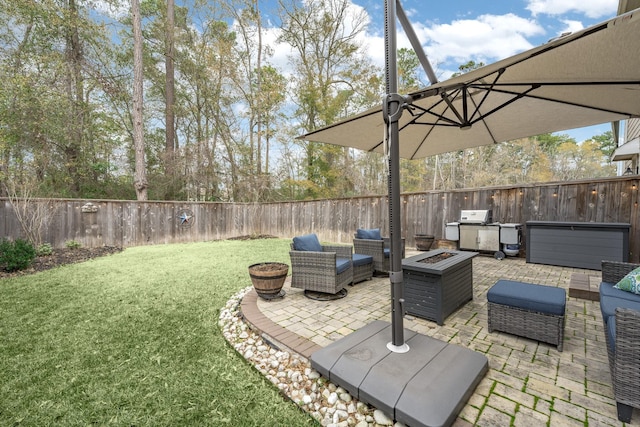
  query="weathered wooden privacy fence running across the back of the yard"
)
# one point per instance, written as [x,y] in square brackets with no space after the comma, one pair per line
[95,223]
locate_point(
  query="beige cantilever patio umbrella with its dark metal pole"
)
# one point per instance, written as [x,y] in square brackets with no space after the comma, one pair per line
[585,78]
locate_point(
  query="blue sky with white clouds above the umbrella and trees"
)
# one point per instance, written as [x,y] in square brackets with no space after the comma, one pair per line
[453,32]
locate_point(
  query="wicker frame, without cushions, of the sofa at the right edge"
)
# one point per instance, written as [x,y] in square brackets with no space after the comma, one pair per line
[624,353]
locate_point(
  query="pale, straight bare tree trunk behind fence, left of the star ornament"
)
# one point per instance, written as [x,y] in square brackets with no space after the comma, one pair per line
[140,178]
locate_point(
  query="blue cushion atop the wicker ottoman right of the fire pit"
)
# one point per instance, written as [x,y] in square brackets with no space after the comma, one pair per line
[528,296]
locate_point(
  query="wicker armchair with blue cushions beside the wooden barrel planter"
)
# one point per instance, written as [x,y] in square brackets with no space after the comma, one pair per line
[326,269]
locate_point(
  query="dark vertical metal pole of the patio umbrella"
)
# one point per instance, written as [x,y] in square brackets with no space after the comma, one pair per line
[392,110]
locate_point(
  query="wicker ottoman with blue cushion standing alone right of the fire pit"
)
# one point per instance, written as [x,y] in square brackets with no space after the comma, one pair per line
[527,310]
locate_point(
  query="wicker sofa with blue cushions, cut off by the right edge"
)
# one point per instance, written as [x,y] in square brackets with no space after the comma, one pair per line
[621,318]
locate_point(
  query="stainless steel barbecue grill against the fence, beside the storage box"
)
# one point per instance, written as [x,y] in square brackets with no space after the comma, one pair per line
[476,231]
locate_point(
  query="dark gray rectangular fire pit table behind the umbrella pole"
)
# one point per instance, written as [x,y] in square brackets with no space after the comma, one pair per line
[436,283]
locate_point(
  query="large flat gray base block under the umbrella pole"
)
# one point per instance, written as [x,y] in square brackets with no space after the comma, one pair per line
[426,386]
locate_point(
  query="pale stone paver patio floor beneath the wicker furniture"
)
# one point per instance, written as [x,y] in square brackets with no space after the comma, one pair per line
[528,383]
